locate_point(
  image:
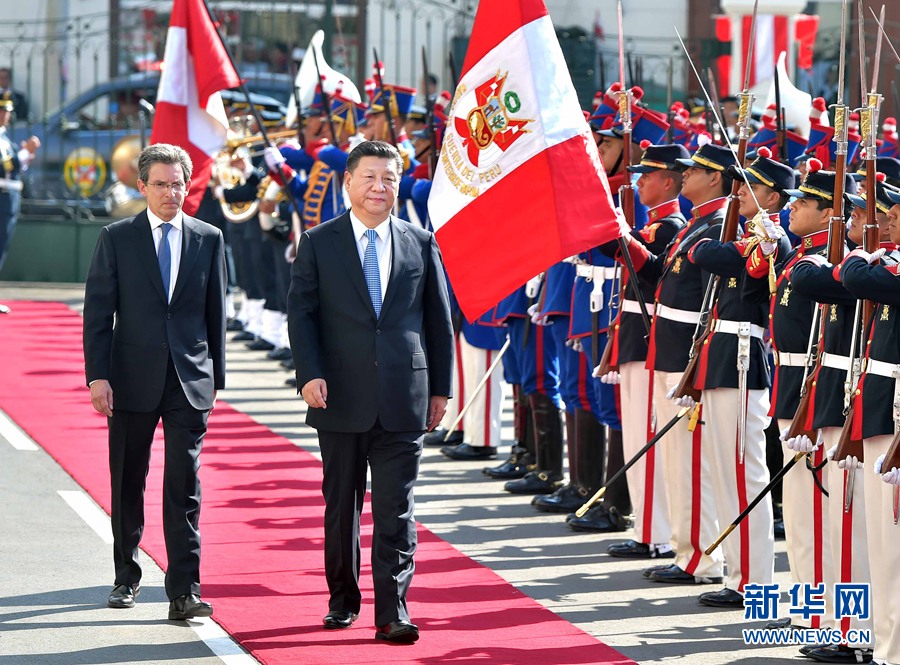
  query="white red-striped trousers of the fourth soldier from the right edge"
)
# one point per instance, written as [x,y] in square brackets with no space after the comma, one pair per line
[750,549]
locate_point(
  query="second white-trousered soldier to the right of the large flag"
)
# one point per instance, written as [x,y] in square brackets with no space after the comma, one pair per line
[680,288]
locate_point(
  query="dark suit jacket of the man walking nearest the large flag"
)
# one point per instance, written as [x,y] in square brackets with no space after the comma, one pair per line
[385,368]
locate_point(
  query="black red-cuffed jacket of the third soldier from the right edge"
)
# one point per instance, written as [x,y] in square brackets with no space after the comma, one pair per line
[790,318]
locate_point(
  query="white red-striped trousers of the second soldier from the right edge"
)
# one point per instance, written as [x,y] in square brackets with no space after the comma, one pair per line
[847,530]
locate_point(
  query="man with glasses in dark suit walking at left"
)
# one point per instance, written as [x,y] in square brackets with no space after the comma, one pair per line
[154,336]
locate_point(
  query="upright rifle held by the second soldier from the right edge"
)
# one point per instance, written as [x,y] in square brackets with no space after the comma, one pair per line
[868,124]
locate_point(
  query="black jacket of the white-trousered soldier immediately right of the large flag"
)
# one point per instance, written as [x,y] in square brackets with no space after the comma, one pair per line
[629,334]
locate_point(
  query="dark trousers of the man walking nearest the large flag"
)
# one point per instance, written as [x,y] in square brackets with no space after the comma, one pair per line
[394,460]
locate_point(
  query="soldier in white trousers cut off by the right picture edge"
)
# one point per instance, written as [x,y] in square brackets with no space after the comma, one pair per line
[877,418]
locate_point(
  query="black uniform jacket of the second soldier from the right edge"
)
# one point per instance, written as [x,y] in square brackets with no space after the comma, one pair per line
[815,278]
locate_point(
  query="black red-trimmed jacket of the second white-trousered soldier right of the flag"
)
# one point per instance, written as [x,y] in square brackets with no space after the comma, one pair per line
[680,285]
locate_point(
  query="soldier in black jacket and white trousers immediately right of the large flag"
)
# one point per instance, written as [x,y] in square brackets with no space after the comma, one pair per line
[659,187]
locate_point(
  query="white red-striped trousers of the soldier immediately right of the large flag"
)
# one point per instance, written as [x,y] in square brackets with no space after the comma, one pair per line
[646,479]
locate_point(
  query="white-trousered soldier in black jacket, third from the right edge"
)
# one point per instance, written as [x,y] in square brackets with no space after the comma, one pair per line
[791,316]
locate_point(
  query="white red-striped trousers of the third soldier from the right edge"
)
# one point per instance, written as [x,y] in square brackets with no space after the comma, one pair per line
[806,532]
